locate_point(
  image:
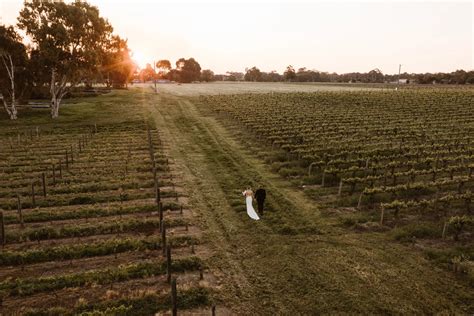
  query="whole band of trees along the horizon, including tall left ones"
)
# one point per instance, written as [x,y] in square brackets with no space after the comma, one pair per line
[71,44]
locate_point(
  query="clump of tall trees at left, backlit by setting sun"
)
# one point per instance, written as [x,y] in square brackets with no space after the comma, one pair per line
[70,44]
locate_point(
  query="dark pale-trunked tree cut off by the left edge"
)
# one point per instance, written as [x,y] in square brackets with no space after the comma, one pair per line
[13,61]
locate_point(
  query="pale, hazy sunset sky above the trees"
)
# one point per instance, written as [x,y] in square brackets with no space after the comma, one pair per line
[336,36]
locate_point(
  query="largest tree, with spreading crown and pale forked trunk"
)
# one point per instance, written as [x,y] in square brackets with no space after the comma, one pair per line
[70,39]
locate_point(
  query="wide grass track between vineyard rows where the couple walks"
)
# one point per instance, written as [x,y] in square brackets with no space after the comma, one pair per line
[294,261]
